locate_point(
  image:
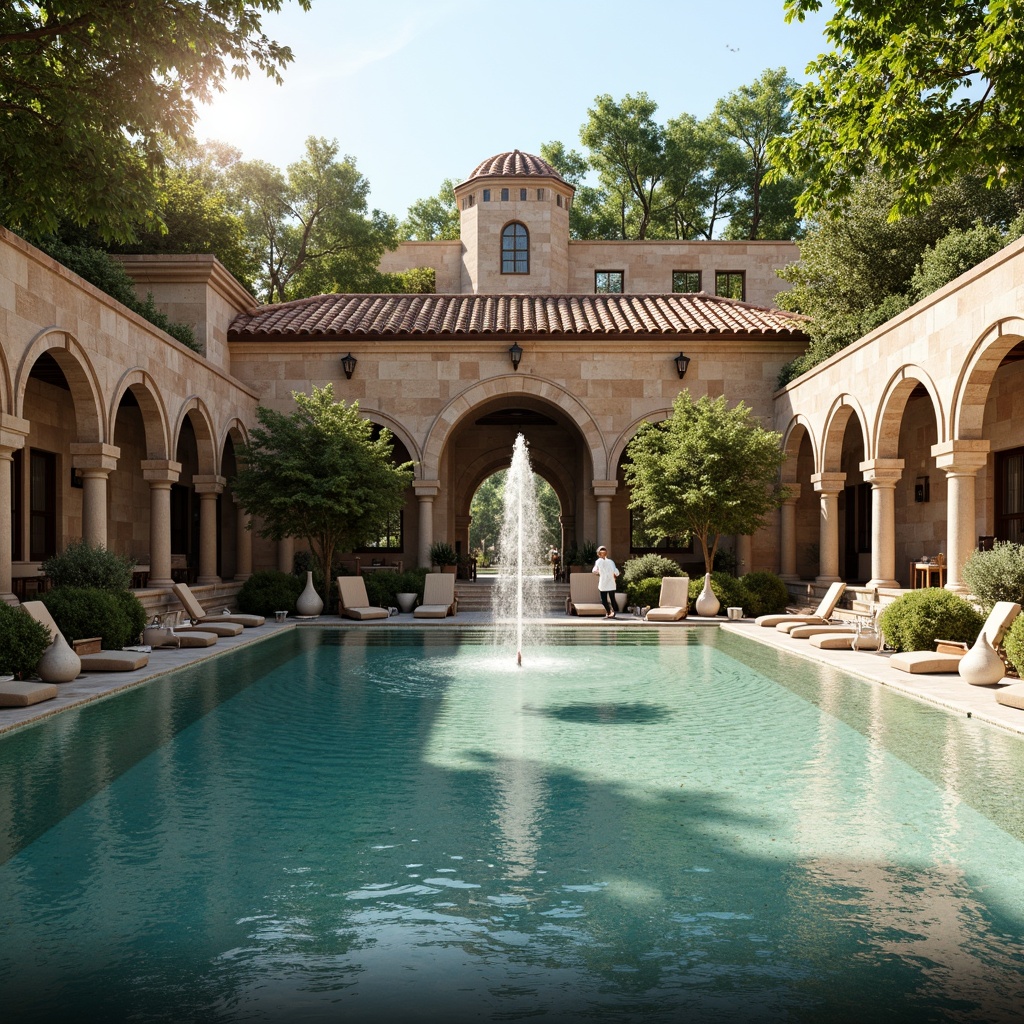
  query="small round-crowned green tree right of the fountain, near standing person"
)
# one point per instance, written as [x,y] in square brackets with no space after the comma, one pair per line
[706,472]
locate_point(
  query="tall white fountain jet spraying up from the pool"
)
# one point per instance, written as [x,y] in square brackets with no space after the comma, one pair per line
[519,601]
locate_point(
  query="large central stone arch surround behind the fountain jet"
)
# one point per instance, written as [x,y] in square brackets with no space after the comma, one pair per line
[513,387]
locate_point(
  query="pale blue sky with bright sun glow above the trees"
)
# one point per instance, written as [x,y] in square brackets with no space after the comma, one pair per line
[419,92]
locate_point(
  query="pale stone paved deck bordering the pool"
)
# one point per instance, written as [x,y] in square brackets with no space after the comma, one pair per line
[948,691]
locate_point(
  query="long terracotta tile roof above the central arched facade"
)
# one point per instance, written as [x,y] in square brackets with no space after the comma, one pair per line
[327,317]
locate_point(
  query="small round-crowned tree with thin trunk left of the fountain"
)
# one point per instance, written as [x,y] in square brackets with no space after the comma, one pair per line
[322,474]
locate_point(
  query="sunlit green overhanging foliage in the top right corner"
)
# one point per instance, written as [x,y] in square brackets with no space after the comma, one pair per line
[924,93]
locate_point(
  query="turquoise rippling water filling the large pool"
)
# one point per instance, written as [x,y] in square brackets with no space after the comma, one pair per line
[401,826]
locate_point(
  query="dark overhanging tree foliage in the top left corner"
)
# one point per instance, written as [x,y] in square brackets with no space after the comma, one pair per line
[93,92]
